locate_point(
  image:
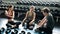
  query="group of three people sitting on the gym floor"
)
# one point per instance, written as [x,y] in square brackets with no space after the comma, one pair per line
[46,24]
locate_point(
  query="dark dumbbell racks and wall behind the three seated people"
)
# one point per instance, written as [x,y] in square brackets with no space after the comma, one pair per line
[22,6]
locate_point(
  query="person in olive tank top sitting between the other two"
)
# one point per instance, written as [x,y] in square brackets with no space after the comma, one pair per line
[30,16]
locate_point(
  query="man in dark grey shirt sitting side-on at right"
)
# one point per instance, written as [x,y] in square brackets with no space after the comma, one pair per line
[47,23]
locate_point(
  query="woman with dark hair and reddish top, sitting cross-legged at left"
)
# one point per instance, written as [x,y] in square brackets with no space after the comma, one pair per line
[10,15]
